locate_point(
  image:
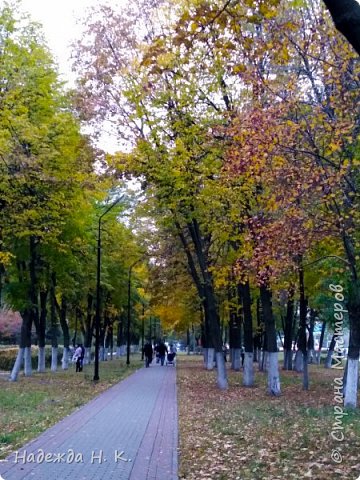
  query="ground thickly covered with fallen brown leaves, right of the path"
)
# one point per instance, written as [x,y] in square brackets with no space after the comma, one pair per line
[243,434]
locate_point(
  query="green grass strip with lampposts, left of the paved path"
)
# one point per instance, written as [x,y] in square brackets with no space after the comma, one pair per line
[33,404]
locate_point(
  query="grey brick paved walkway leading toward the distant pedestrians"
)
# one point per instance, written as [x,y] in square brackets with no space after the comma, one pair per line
[127,433]
